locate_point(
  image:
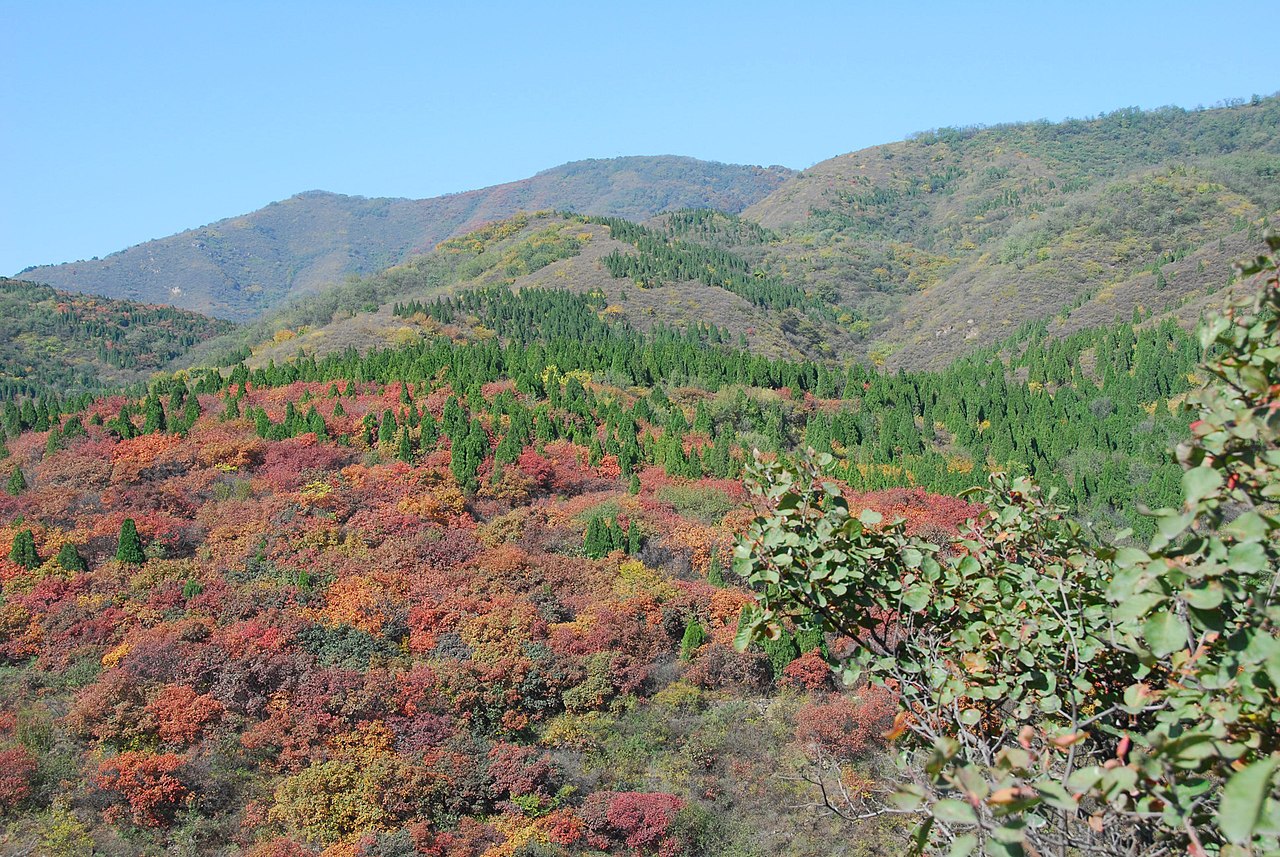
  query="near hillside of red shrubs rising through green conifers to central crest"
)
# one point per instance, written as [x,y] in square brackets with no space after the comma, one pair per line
[470,594]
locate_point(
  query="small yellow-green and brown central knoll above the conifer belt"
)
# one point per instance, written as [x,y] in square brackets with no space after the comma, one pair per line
[546,251]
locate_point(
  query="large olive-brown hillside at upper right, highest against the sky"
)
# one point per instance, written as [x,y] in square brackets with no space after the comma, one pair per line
[954,239]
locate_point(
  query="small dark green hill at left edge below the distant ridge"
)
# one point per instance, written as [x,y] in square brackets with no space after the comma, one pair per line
[66,342]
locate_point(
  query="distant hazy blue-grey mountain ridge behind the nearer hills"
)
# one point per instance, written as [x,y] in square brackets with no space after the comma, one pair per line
[243,267]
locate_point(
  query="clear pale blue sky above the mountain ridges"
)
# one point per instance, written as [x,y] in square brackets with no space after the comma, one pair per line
[126,122]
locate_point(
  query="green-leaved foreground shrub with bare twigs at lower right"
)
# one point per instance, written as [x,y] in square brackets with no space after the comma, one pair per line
[1057,695]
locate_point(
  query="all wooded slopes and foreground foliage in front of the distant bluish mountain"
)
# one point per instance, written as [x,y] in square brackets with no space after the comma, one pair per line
[547,542]
